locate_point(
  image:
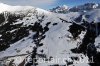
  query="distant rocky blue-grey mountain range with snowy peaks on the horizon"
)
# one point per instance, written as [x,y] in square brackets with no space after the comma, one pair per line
[84,7]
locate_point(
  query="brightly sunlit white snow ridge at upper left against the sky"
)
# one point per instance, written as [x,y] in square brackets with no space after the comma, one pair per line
[9,8]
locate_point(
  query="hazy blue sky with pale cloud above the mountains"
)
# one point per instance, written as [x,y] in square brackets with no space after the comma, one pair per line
[47,4]
